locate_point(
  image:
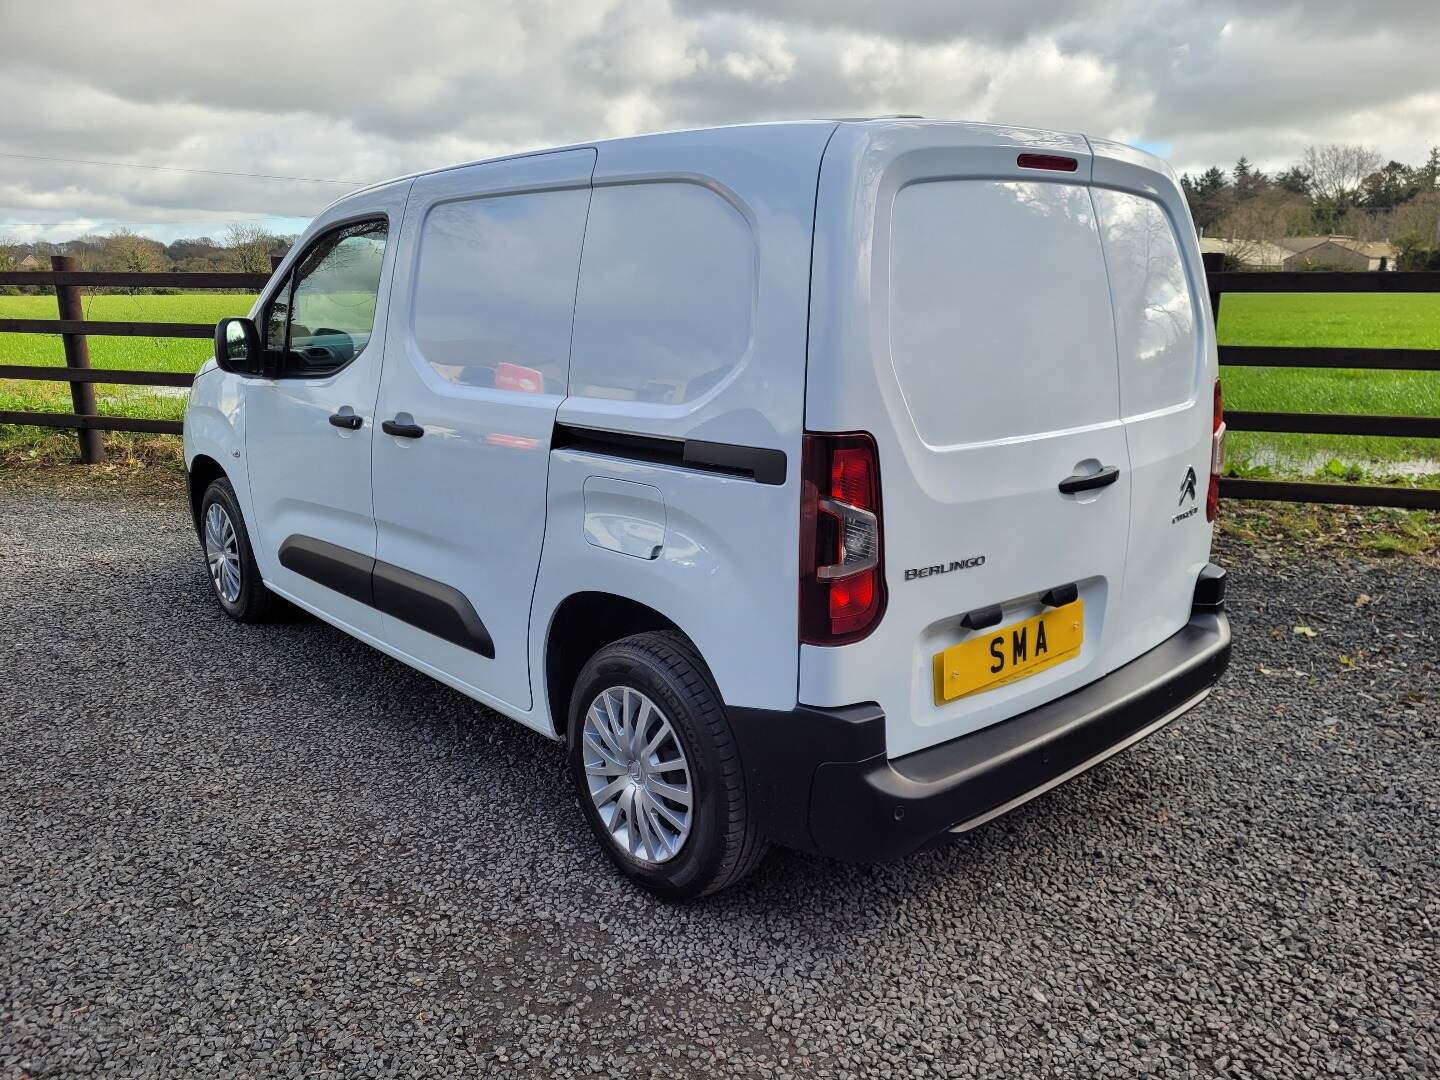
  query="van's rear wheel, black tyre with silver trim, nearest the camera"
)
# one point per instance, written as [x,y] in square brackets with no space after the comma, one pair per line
[657,768]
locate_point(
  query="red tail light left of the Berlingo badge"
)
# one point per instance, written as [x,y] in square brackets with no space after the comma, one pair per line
[843,587]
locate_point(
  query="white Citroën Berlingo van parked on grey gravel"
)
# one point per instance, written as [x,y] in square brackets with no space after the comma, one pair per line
[830,485]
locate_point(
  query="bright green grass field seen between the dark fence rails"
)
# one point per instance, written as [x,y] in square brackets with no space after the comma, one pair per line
[1395,322]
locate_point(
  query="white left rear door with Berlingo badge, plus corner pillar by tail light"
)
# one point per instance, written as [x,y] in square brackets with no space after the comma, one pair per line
[961,315]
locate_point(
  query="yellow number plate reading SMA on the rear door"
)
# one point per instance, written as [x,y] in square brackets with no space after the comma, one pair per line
[1002,656]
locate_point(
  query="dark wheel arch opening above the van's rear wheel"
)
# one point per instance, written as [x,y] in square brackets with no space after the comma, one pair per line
[581,626]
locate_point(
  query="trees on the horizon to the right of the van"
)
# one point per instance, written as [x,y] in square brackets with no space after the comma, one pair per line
[1347,191]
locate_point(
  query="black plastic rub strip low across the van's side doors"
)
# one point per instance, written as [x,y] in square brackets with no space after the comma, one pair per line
[426,604]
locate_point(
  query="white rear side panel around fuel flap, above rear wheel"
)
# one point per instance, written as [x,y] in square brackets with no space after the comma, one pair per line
[714,351]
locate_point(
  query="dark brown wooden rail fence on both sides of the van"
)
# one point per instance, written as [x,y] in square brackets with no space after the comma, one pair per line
[81,377]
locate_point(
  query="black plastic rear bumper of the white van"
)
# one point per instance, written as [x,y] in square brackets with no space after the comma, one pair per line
[823,783]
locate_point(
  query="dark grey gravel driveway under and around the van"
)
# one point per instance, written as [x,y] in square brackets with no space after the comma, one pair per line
[257,852]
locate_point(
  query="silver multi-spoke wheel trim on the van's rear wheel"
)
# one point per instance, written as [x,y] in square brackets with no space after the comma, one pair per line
[639,775]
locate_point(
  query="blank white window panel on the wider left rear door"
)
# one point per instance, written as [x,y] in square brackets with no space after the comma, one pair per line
[1000,313]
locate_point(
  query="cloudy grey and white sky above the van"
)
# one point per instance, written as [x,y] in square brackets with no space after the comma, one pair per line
[359,91]
